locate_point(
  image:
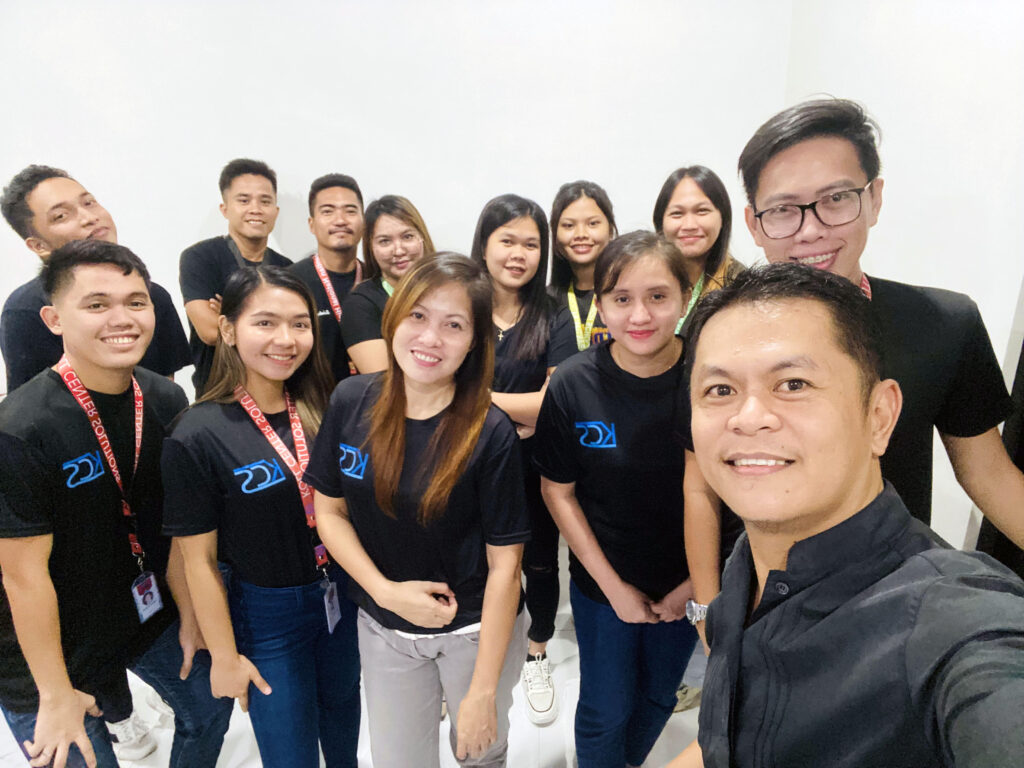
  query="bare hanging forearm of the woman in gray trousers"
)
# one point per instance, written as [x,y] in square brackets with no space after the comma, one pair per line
[501,599]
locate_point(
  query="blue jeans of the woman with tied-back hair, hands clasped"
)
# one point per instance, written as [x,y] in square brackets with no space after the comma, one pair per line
[629,674]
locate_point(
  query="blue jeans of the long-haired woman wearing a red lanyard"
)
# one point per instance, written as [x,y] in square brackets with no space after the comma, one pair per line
[314,674]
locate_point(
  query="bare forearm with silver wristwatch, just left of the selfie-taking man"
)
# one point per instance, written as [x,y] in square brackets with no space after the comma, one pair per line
[703,531]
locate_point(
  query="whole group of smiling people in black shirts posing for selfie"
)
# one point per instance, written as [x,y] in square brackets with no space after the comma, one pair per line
[382,456]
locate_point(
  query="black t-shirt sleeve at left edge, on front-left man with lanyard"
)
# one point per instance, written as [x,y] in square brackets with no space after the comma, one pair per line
[26,491]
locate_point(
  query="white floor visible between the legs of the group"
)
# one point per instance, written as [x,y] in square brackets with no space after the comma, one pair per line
[530,747]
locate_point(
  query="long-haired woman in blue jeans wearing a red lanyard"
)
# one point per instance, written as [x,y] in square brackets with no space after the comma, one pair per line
[283,637]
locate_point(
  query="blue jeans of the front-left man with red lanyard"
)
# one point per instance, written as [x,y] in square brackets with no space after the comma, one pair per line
[200,720]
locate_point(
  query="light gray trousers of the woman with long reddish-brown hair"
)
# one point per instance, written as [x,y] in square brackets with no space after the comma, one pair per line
[404,680]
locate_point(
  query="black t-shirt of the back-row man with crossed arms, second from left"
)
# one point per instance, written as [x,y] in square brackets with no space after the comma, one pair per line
[203,273]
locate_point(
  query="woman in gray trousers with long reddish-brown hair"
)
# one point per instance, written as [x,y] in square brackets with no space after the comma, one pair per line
[420,498]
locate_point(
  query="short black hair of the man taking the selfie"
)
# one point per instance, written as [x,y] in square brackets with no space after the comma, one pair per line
[856,332]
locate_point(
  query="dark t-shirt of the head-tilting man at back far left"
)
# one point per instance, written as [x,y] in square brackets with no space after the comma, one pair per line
[29,347]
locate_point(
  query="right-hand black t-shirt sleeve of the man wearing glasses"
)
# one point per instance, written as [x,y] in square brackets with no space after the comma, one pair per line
[977,400]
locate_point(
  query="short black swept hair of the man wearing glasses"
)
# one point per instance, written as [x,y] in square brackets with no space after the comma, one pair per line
[823,117]
